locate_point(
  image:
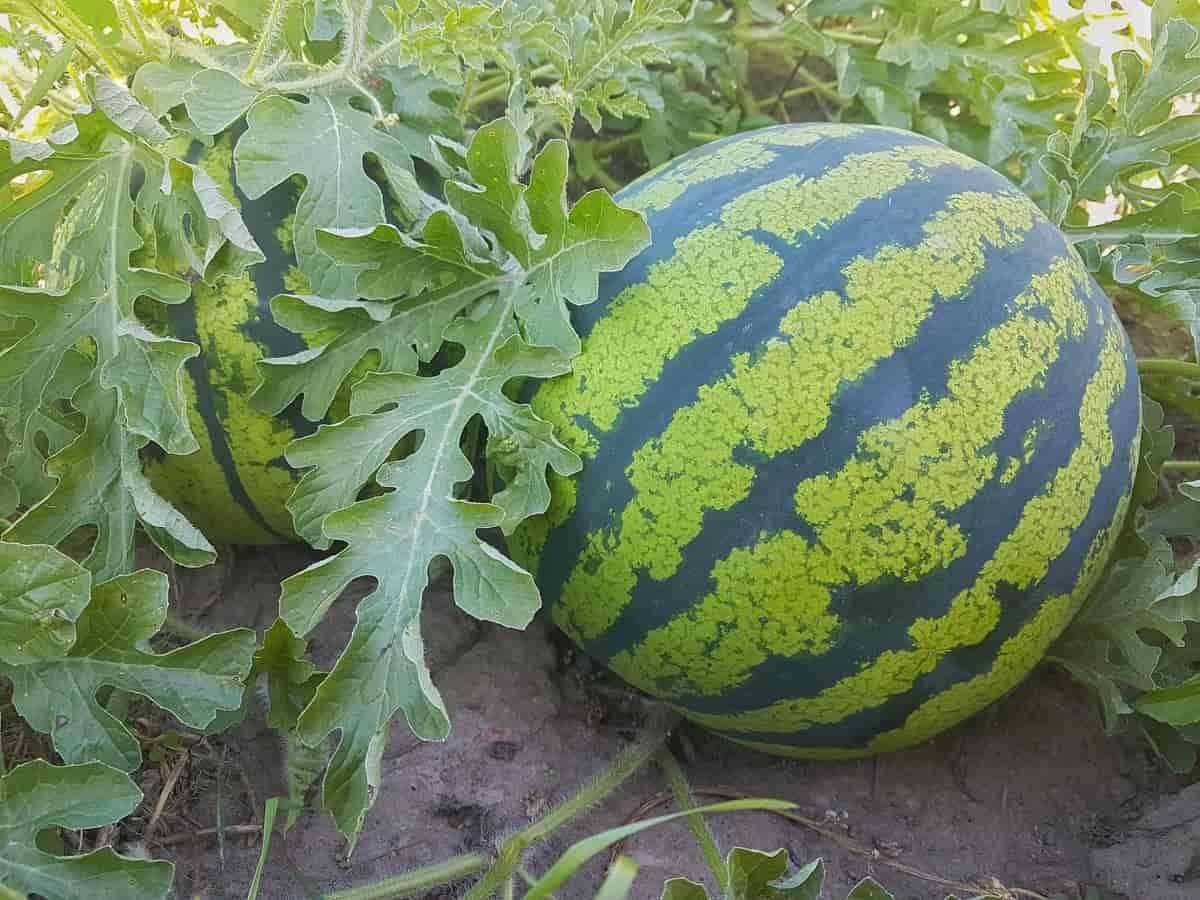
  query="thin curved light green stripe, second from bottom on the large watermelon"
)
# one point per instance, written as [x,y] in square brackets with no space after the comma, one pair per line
[1042,535]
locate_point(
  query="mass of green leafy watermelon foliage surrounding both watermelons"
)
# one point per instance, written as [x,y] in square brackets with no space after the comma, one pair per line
[449,167]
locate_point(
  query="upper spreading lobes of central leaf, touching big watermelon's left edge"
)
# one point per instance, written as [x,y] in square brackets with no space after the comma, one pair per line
[497,232]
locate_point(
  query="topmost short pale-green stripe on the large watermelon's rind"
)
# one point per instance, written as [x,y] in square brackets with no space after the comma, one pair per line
[659,190]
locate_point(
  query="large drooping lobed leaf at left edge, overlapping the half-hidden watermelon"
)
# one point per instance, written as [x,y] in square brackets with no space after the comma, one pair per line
[79,259]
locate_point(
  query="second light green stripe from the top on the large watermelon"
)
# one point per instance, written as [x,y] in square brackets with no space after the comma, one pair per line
[710,279]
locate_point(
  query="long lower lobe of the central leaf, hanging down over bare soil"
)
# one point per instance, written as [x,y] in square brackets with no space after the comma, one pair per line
[394,538]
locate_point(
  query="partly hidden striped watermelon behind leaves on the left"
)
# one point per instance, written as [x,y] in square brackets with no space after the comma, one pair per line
[235,488]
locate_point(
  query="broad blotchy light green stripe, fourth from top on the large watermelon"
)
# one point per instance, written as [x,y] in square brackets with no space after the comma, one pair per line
[884,514]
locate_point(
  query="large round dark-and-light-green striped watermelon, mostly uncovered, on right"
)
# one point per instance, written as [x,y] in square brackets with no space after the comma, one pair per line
[859,433]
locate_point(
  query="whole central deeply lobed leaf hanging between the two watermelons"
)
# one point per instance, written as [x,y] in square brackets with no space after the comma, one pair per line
[536,259]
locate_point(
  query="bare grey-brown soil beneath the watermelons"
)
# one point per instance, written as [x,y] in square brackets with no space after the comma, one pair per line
[1030,793]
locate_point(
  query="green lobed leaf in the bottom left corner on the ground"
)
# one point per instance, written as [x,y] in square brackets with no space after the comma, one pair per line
[38,796]
